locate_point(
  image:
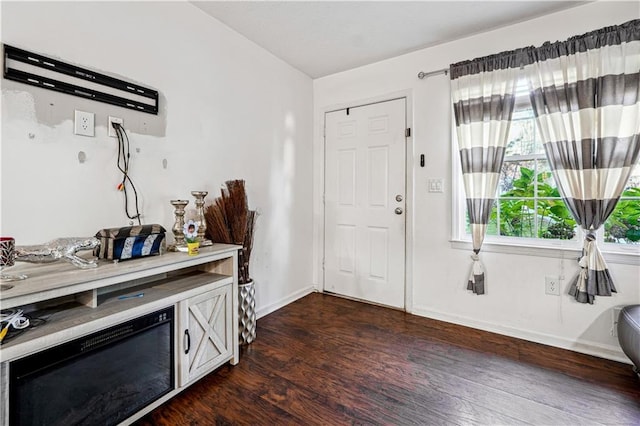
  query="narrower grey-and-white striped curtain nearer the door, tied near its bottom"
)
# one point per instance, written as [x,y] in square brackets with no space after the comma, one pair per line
[483,96]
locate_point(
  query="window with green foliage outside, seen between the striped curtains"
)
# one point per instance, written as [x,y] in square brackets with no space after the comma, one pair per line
[529,209]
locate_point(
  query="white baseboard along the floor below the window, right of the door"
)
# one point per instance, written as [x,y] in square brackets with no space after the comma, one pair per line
[612,353]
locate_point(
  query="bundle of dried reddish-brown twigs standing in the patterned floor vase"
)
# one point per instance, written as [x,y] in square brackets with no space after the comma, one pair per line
[230,221]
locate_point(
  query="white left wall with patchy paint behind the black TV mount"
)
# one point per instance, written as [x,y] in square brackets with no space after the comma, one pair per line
[229,109]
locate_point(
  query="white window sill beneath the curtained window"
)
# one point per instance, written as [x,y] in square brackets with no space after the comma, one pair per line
[617,257]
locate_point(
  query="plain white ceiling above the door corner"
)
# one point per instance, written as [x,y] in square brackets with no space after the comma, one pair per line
[324,37]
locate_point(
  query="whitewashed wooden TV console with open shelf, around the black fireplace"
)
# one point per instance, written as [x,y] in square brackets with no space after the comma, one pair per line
[202,286]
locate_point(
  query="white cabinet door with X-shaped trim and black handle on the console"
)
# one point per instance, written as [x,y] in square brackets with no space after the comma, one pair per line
[206,333]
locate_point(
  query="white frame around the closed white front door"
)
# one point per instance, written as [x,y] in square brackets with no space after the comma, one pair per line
[318,196]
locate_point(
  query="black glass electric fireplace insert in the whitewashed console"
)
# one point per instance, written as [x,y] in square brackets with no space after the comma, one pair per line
[100,379]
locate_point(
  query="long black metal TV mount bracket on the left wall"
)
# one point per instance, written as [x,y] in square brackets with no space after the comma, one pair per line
[126,92]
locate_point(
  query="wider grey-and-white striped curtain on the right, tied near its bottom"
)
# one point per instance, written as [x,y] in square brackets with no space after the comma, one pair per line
[585,96]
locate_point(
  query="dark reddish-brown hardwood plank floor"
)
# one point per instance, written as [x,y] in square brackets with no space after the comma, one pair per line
[327,360]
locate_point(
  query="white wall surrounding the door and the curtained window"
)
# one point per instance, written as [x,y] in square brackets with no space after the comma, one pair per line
[515,303]
